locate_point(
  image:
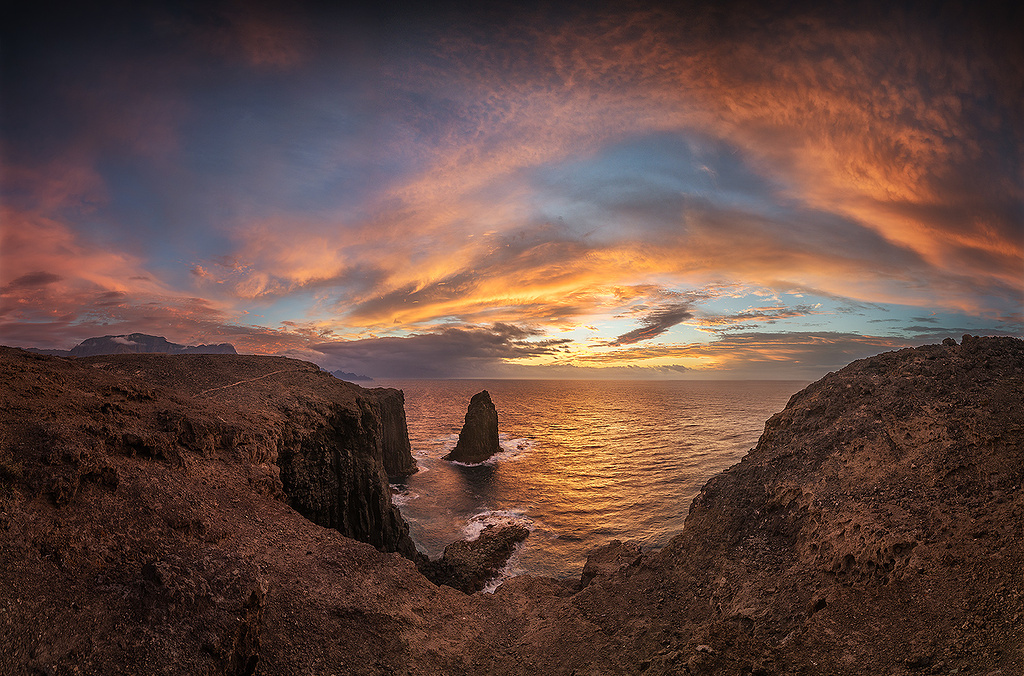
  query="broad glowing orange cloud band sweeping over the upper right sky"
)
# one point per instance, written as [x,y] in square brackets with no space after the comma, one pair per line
[816,104]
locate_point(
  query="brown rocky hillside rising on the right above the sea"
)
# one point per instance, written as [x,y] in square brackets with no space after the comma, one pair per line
[875,529]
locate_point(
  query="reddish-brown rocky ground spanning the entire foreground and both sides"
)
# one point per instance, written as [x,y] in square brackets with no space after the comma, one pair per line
[876,529]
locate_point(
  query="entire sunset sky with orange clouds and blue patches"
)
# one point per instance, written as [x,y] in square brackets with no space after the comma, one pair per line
[528,190]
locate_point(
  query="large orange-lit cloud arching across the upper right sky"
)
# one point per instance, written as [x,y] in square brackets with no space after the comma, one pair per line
[864,152]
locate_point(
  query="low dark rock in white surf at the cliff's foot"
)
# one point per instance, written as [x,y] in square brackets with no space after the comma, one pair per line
[470,565]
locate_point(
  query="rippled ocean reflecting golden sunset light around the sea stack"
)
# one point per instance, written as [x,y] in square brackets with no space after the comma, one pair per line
[583,462]
